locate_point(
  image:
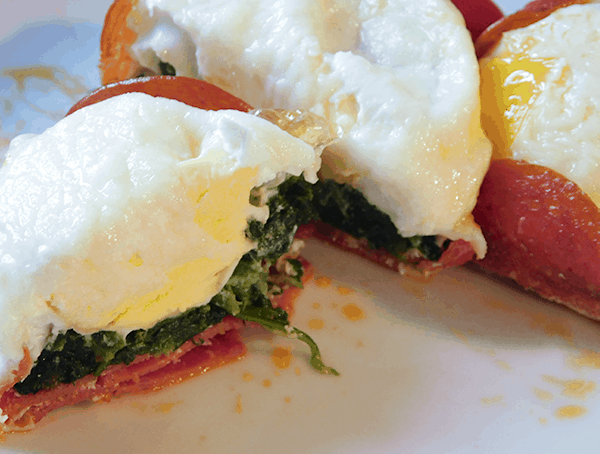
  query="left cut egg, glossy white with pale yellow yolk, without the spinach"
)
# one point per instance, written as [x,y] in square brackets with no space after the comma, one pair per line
[127,212]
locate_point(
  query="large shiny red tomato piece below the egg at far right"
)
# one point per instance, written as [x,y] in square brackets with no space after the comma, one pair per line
[542,231]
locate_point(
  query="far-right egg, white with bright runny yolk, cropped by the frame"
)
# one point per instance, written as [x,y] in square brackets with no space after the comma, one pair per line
[549,74]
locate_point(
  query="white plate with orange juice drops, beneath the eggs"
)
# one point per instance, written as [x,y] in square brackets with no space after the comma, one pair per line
[462,364]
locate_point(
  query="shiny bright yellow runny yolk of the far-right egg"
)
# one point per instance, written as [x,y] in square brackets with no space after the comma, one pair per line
[509,87]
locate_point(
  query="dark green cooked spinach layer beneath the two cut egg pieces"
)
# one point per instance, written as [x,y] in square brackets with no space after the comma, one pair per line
[71,356]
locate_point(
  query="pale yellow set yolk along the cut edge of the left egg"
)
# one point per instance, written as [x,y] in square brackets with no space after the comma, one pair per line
[221,215]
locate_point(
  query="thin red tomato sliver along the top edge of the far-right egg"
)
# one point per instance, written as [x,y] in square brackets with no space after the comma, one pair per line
[531,13]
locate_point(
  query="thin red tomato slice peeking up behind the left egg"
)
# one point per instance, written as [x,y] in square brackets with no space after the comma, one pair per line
[193,92]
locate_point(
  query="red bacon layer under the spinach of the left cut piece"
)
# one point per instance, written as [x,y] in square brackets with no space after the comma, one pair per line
[221,344]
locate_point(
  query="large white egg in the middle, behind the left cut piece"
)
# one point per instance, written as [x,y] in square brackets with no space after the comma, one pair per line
[398,79]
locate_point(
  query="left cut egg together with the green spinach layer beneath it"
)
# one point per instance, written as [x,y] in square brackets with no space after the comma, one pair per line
[122,241]
